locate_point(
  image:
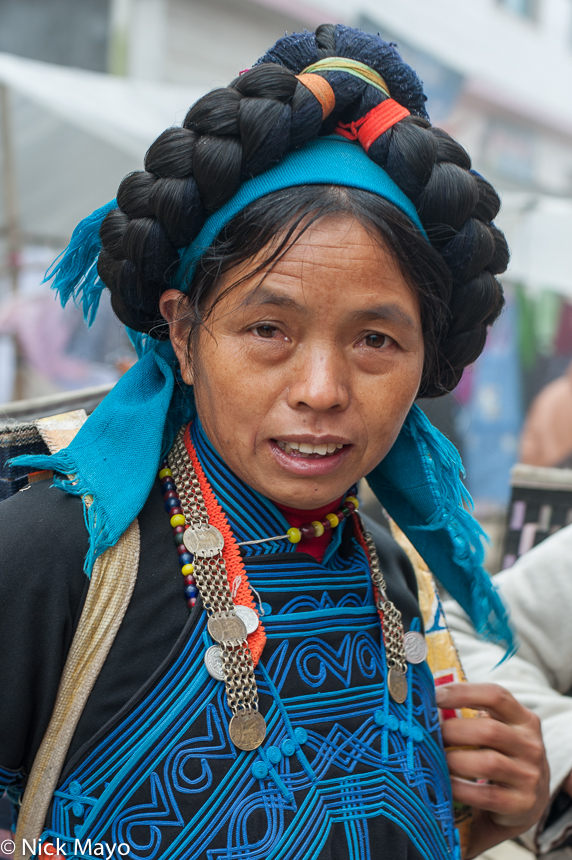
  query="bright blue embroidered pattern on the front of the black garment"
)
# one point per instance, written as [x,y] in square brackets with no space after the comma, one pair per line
[342,764]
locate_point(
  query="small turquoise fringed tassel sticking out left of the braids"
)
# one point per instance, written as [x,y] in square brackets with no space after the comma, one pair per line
[74,272]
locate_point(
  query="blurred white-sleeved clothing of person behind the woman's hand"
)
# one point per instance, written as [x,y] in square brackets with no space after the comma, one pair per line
[537,591]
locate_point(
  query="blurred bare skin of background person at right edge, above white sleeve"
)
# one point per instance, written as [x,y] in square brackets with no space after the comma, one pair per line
[546,438]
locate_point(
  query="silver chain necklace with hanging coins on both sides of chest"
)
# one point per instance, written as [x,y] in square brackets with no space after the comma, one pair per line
[200,548]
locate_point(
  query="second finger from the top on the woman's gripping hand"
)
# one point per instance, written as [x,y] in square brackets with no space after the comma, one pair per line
[518,741]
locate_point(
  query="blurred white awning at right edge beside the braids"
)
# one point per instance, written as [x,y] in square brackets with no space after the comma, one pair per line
[539,233]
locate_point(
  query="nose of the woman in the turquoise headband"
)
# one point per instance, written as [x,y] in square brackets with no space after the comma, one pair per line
[319,381]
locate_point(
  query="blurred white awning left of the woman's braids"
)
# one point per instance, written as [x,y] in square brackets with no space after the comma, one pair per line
[75,135]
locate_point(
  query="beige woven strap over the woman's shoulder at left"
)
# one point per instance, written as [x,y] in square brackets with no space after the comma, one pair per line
[110,589]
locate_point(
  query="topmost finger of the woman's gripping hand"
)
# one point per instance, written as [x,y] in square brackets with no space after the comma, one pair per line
[492,698]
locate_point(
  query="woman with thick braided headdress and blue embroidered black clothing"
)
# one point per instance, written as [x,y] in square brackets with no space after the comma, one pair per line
[297,264]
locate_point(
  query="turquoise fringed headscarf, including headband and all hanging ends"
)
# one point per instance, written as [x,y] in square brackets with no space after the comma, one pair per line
[115,456]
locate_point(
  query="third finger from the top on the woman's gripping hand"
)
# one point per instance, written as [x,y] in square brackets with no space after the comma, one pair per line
[492,765]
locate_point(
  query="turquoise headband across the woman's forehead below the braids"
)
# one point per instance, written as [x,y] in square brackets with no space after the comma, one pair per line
[325,161]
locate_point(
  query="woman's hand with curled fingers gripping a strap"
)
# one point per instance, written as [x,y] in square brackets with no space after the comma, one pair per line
[510,756]
